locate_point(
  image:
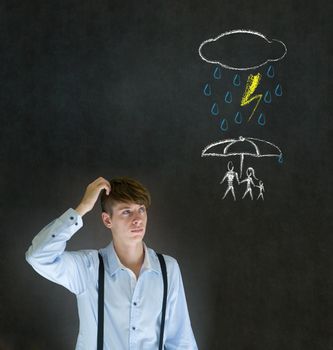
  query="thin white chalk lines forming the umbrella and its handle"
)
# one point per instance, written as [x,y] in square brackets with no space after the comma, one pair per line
[231,142]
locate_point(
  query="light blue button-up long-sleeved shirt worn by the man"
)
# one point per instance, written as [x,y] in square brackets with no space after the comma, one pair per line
[132,309]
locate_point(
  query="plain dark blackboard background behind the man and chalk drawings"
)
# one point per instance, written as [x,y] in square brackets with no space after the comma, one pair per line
[92,88]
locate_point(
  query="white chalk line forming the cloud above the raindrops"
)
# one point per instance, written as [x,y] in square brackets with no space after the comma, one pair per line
[236,31]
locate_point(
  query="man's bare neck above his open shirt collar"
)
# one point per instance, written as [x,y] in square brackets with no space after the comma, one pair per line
[131,256]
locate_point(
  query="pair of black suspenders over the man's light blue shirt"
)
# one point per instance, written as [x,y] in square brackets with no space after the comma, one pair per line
[100,325]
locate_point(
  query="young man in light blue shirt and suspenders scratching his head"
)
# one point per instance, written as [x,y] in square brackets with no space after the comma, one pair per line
[134,286]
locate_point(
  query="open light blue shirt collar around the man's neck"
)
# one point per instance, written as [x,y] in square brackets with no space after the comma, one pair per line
[150,262]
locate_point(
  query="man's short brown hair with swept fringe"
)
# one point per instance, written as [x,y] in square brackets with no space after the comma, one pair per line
[124,189]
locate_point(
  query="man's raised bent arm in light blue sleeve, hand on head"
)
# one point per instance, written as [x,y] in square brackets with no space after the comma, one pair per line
[47,253]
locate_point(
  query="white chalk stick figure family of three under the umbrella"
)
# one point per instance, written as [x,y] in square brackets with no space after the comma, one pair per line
[231,175]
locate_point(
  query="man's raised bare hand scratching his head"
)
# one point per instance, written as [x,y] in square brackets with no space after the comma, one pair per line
[91,195]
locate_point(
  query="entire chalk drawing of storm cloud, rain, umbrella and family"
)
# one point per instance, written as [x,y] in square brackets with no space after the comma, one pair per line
[259,88]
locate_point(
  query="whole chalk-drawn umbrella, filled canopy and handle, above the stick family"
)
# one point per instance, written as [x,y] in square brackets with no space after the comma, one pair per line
[243,146]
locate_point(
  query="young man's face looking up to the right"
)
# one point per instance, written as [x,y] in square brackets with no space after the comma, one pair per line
[128,222]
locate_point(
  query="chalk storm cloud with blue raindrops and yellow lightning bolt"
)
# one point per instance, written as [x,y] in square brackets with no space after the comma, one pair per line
[256,89]
